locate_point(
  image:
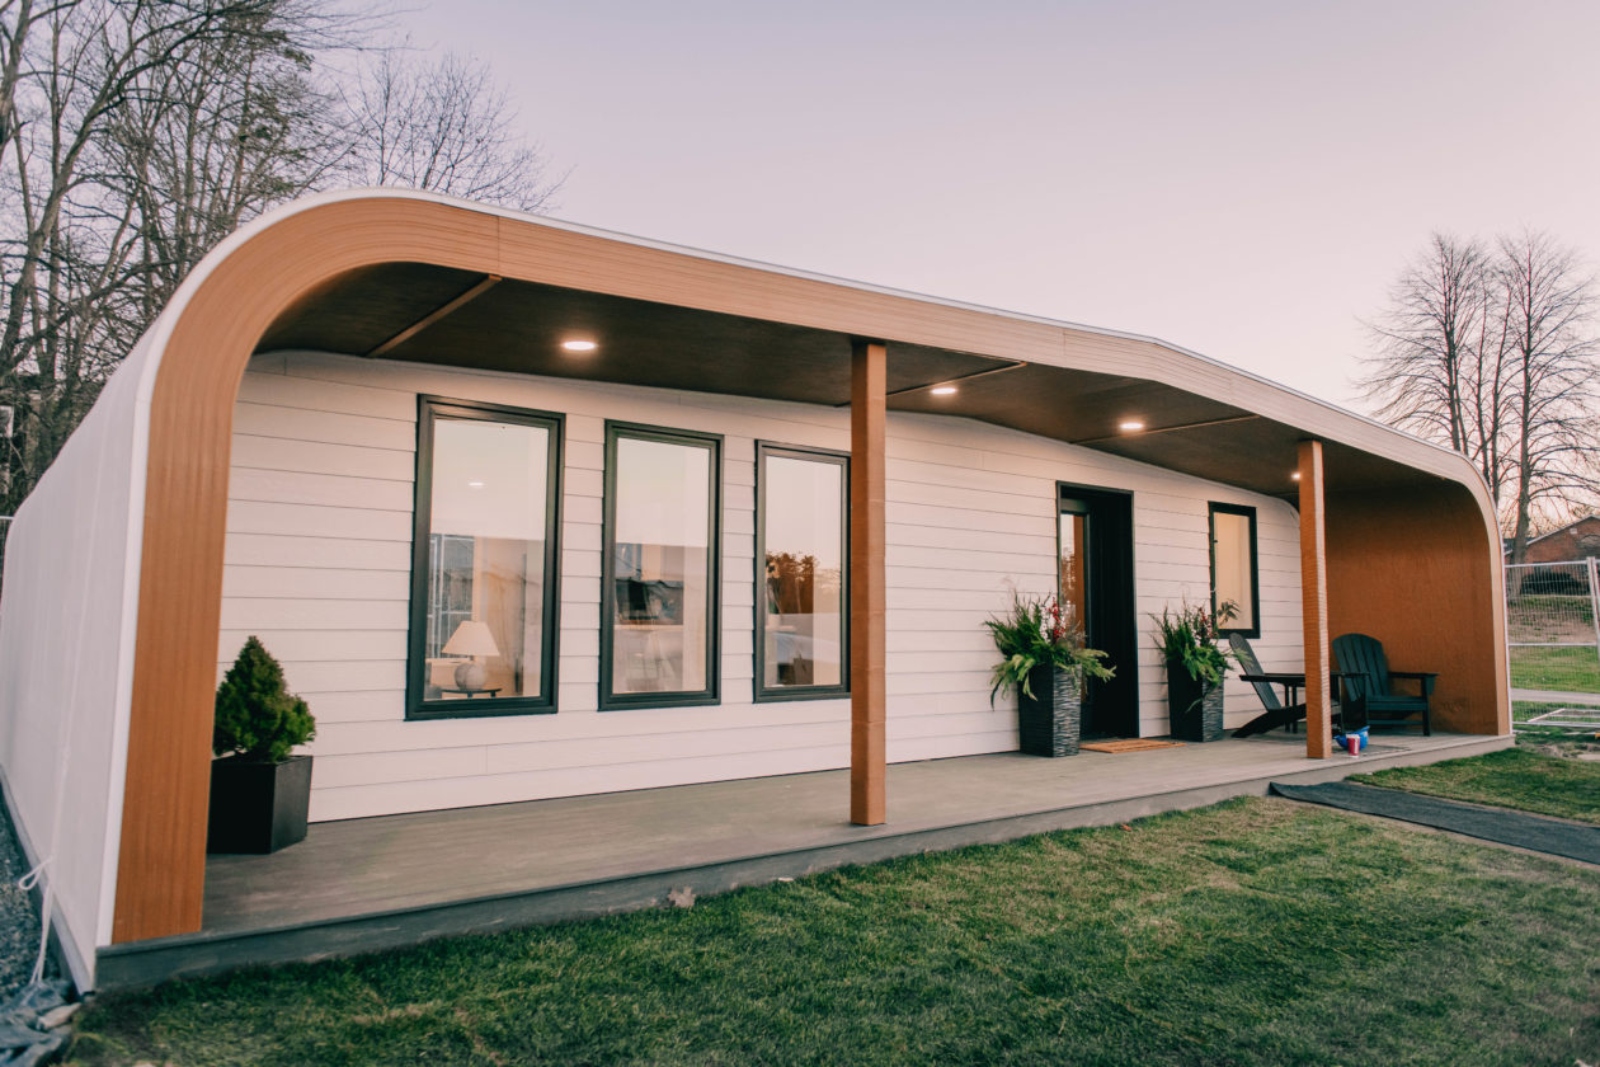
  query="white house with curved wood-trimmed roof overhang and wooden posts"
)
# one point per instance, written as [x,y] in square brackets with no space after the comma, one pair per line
[535,511]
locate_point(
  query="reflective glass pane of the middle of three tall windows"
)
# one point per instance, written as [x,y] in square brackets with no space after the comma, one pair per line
[662,564]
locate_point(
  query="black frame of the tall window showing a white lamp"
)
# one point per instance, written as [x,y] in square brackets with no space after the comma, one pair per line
[418,709]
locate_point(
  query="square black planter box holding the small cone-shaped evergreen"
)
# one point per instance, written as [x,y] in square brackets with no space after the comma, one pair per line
[258,807]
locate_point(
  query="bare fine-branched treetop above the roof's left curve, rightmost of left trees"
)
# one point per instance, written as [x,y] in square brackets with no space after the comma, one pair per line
[446,127]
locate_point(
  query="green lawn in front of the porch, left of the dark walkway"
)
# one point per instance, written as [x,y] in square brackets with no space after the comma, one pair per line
[1257,932]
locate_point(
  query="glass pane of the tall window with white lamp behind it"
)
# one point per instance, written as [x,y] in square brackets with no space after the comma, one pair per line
[487,561]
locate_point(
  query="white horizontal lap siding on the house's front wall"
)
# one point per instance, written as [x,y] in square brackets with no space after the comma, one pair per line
[319,553]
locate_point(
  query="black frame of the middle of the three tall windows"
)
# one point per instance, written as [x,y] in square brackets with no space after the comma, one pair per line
[711,695]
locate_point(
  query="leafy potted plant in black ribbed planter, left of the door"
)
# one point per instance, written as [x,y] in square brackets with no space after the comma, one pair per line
[1046,661]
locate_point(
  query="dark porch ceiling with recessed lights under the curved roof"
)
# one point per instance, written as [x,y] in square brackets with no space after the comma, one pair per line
[519,327]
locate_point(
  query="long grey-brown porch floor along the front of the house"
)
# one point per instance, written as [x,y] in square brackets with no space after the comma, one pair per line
[374,884]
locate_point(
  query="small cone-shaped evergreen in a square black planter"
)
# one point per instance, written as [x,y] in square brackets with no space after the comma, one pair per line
[260,793]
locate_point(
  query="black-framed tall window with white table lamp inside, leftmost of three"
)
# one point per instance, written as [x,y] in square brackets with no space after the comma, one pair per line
[484,561]
